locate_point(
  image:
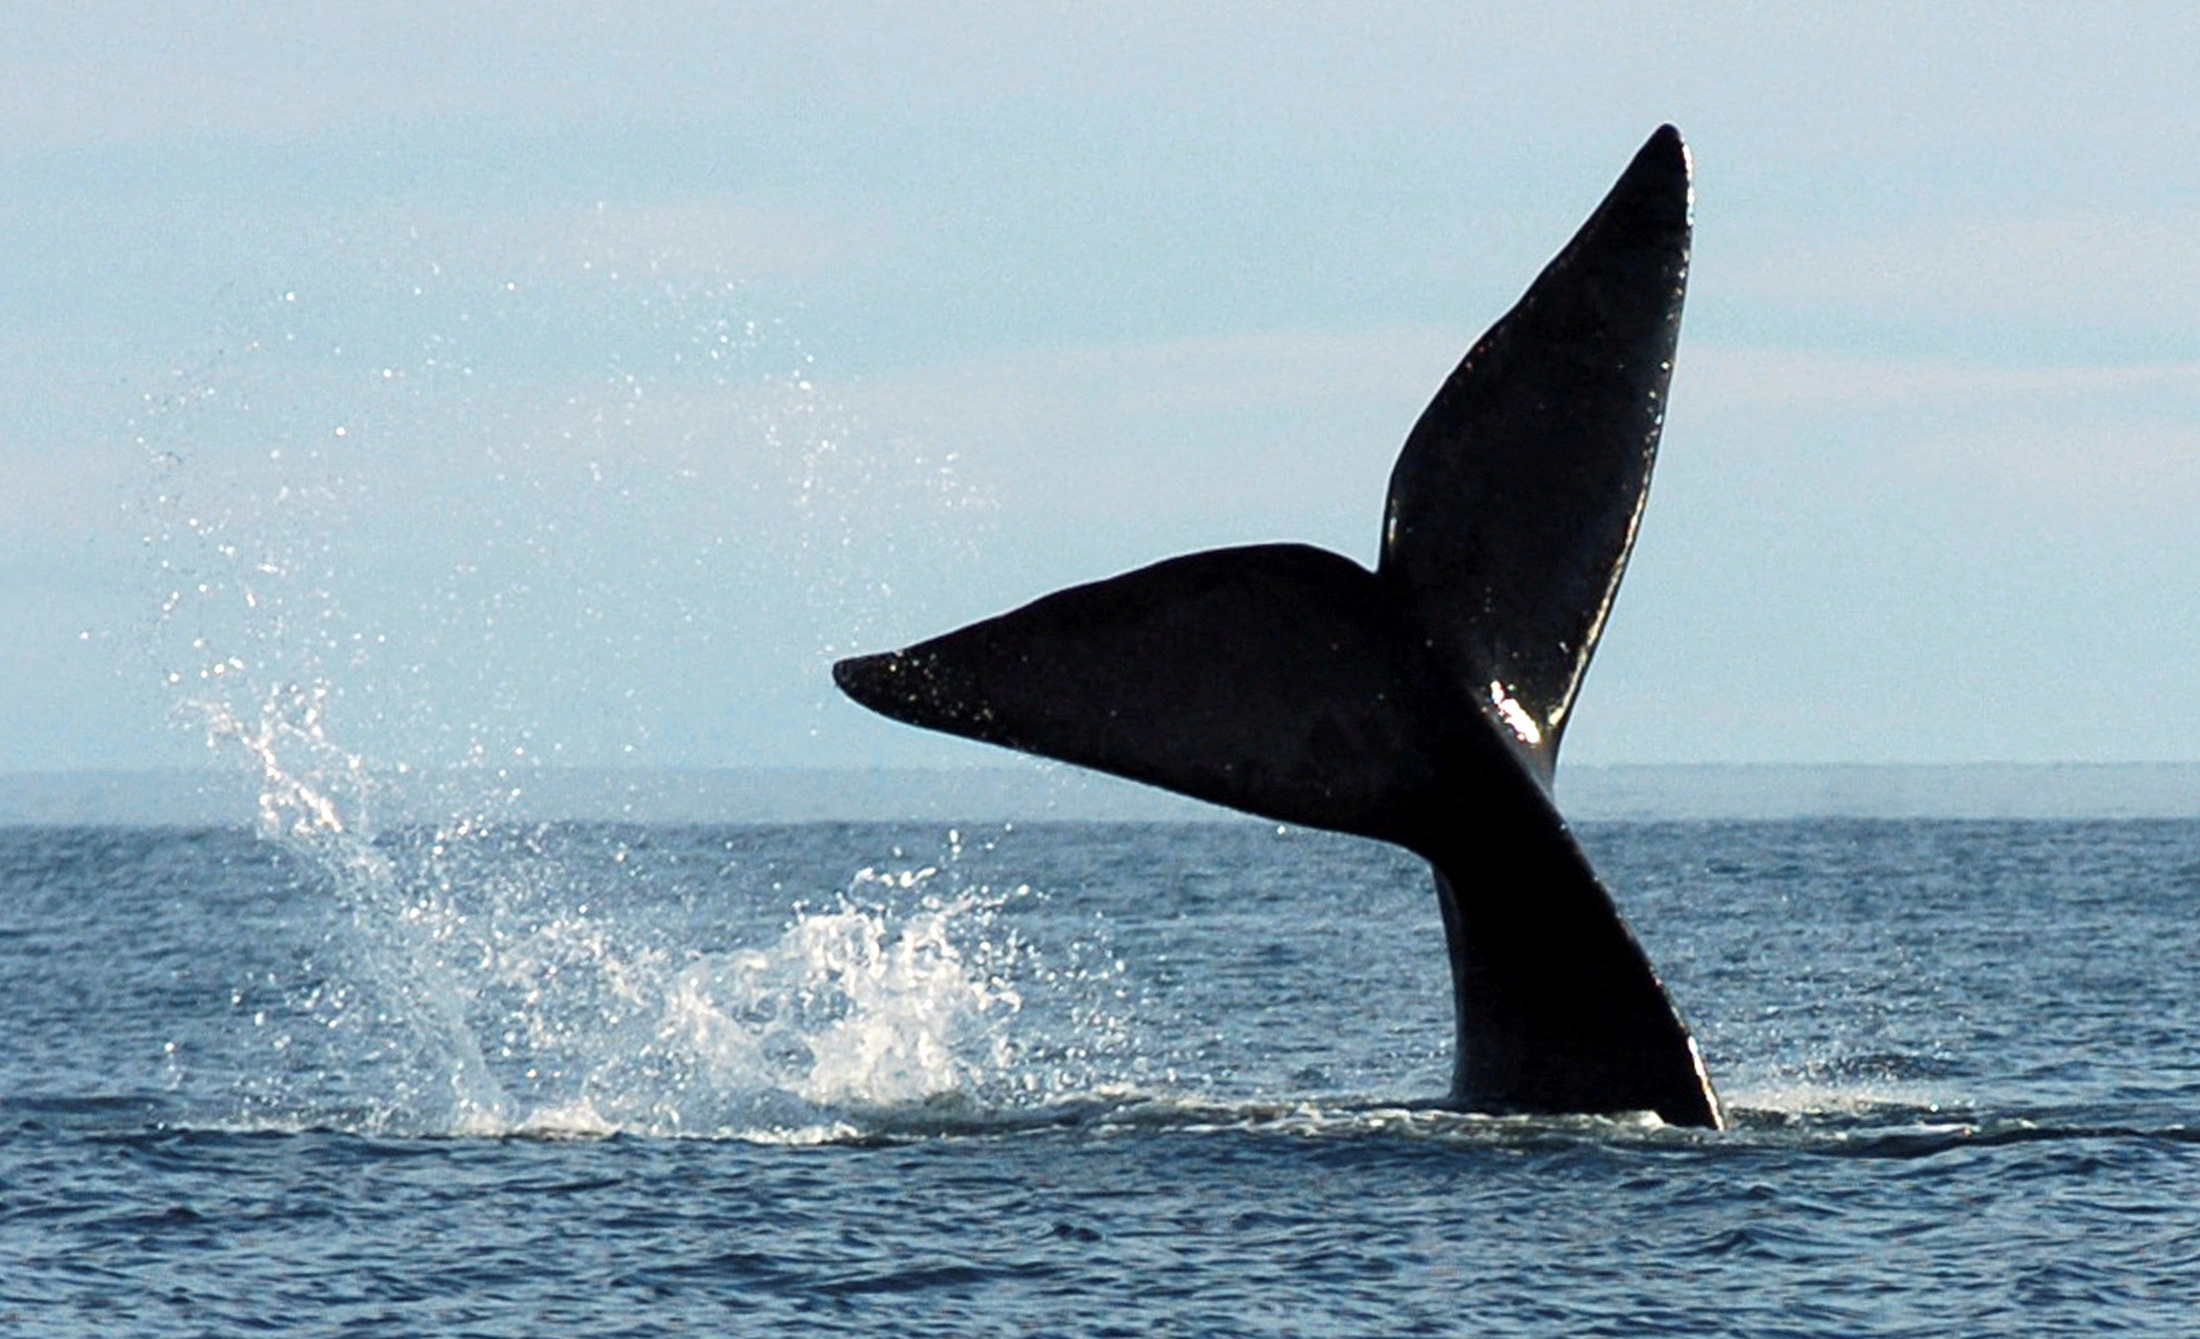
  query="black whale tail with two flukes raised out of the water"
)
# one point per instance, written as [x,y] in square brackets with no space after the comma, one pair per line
[1424,702]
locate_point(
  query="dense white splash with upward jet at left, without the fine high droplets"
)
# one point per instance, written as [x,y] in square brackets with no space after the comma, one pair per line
[562,980]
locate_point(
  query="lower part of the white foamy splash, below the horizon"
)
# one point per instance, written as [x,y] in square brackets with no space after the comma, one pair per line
[553,997]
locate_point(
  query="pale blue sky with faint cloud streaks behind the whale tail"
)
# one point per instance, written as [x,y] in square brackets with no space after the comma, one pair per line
[571,384]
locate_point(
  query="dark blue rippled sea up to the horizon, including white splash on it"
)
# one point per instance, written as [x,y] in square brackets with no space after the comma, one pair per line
[1072,1081]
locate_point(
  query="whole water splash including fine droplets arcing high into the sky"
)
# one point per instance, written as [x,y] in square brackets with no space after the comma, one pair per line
[500,516]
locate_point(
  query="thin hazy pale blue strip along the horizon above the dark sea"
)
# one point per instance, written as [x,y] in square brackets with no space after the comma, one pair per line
[1046,793]
